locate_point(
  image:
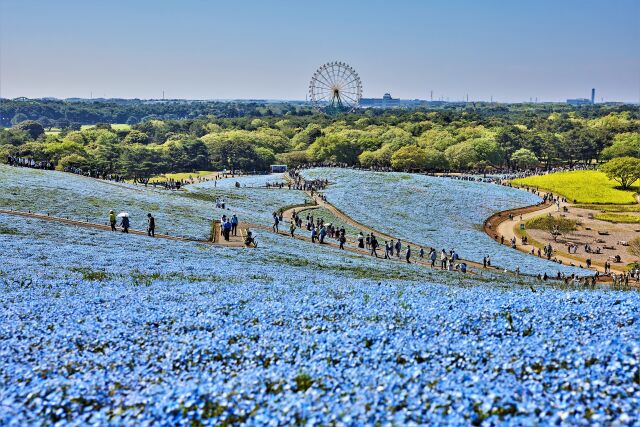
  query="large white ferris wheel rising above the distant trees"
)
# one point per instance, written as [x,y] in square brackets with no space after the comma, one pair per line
[335,87]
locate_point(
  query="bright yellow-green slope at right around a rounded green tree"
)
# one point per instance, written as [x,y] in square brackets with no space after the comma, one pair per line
[581,186]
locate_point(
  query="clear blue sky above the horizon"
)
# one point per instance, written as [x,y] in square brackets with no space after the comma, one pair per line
[511,49]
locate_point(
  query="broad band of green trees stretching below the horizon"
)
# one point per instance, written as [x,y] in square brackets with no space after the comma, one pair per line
[478,138]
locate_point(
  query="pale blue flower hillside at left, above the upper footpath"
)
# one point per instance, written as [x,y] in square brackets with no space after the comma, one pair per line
[184,213]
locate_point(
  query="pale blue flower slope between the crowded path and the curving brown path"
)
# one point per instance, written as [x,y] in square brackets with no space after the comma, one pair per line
[442,212]
